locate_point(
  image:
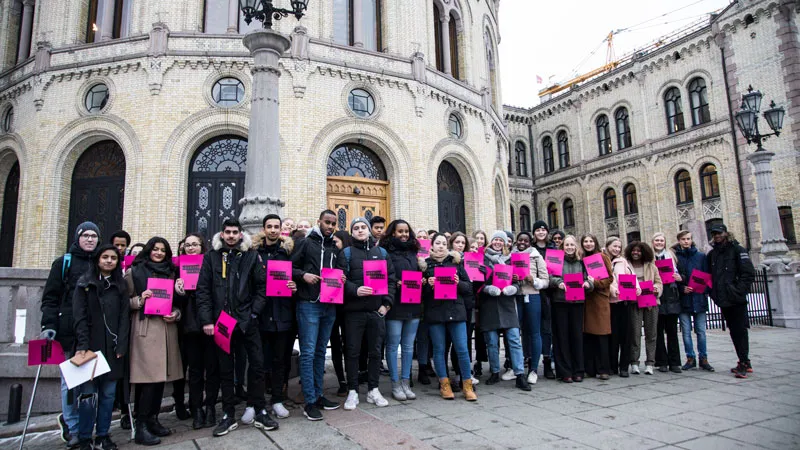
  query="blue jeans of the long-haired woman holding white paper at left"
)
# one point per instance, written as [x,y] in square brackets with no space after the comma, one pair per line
[95,405]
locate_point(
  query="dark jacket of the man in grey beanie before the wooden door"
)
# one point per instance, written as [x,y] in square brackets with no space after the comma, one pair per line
[353,270]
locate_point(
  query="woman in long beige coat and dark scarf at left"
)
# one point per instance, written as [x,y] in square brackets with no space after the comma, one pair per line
[155,356]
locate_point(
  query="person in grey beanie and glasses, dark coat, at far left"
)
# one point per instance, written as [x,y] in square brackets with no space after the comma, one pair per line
[57,320]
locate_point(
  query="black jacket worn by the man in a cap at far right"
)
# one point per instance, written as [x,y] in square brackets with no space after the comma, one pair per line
[732,274]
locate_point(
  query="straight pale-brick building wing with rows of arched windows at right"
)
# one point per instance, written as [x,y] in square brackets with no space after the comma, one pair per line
[652,145]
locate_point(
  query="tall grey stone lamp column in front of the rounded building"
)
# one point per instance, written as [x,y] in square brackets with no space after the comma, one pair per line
[262,187]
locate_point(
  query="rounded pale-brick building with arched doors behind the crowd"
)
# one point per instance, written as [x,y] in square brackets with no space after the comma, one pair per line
[135,114]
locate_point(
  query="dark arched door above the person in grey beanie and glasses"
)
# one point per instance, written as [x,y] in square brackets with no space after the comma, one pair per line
[98,189]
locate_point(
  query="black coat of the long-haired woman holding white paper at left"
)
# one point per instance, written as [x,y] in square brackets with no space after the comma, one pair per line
[102,320]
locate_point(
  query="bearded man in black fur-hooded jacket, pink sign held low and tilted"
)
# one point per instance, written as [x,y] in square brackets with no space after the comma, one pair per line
[233,280]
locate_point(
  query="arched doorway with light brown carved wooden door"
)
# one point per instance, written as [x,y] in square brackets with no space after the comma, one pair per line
[357,184]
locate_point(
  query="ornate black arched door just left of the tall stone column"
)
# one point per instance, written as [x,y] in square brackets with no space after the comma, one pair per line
[216,183]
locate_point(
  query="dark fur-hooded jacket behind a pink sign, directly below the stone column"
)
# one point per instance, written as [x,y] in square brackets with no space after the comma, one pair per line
[278,313]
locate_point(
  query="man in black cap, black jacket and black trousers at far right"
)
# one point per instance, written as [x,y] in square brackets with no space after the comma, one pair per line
[732,274]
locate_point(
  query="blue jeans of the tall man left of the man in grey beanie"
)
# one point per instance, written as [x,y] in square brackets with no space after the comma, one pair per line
[314,324]
